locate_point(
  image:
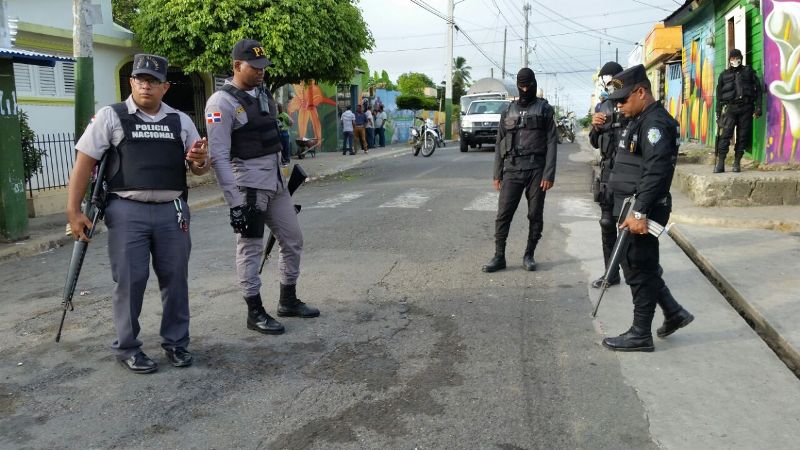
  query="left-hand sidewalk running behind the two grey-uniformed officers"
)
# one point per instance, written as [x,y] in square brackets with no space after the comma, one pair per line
[48,232]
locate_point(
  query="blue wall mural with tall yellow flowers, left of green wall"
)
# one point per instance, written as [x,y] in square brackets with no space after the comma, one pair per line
[697,115]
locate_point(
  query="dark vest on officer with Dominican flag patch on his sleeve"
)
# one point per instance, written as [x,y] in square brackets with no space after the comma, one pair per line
[260,135]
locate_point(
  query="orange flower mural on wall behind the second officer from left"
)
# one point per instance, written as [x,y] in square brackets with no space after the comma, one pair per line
[311,105]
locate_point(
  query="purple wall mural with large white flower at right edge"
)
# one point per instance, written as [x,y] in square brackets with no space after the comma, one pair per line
[782,76]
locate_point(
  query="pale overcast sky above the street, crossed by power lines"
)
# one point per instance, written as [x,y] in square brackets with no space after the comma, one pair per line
[408,38]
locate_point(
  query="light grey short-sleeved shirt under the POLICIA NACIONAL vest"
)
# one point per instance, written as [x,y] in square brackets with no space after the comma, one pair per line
[106,131]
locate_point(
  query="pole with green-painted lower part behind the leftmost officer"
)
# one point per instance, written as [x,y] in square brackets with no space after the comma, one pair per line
[84,16]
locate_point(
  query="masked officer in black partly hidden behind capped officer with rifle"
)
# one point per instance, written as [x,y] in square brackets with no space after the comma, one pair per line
[607,126]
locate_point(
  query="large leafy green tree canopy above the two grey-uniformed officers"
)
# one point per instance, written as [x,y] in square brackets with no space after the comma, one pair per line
[304,39]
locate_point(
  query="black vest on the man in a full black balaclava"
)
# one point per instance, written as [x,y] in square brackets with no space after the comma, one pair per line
[528,129]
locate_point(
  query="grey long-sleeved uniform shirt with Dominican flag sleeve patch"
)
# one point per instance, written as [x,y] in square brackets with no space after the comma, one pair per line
[223,115]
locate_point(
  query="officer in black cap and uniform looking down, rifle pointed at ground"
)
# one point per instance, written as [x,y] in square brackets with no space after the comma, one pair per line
[644,164]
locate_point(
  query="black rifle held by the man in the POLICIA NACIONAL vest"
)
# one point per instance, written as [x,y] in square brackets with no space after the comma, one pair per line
[94,208]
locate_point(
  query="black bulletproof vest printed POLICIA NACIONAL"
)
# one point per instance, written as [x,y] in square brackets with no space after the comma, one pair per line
[150,155]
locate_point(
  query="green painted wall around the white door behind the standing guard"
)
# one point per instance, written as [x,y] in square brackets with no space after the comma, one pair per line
[755,57]
